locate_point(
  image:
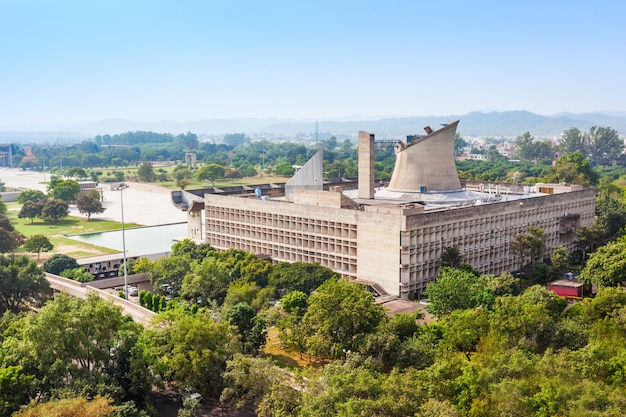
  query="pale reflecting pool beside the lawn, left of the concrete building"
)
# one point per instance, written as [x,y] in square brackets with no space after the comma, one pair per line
[140,240]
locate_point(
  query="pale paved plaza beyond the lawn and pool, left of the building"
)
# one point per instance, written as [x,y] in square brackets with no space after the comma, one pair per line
[144,204]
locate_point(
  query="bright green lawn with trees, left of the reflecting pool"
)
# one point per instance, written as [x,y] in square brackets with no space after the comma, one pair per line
[57,232]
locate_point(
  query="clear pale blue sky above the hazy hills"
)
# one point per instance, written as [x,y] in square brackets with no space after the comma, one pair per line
[65,62]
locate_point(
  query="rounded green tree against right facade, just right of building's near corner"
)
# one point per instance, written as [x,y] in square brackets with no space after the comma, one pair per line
[456,289]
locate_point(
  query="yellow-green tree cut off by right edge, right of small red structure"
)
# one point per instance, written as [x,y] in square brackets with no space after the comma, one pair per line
[607,266]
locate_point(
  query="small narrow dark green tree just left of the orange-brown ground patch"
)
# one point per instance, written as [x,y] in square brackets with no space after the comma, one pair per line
[250,326]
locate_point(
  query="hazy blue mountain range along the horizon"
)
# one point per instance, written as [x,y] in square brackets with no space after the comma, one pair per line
[490,124]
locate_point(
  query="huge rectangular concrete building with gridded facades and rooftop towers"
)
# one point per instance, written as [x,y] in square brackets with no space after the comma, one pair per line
[393,236]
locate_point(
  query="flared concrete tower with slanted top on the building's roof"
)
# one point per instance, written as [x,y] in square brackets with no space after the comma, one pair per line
[427,163]
